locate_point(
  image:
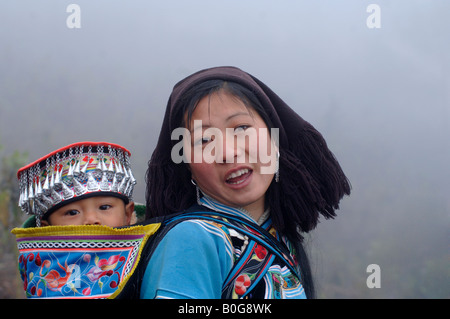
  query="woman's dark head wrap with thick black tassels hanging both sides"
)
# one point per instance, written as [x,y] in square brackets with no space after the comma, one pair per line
[311,180]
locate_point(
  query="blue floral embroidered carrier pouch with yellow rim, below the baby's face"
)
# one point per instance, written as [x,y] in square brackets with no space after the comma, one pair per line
[79,265]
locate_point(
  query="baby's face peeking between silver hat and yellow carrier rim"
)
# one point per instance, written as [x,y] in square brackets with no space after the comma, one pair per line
[99,210]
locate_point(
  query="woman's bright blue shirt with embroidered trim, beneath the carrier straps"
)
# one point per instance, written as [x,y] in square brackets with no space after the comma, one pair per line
[195,257]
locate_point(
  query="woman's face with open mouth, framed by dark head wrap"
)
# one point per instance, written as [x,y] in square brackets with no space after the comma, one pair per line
[228,152]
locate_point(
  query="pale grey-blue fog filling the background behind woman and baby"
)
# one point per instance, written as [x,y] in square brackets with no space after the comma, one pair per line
[380,97]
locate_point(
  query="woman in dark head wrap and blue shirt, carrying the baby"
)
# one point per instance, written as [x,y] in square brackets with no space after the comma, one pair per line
[259,198]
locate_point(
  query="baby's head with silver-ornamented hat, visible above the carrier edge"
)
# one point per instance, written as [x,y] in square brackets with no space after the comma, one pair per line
[87,183]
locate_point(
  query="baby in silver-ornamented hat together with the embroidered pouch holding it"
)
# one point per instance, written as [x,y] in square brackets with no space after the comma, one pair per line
[83,193]
